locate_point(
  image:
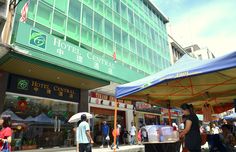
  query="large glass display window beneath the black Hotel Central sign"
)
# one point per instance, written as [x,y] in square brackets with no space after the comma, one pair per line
[39,122]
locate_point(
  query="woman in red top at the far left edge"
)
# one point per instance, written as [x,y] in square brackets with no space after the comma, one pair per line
[5,133]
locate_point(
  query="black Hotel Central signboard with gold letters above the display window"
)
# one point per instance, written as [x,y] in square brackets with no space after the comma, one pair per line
[34,87]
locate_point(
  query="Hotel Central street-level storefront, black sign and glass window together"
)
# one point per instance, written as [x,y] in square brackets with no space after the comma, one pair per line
[39,111]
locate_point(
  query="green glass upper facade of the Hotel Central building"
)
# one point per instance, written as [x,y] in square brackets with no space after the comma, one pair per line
[134,29]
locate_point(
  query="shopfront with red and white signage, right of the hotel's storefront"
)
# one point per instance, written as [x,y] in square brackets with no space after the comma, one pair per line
[102,107]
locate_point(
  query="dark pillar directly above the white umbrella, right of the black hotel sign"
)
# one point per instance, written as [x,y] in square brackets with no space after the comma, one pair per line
[84,99]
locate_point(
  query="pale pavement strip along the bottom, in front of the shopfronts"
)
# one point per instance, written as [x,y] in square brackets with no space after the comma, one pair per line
[122,148]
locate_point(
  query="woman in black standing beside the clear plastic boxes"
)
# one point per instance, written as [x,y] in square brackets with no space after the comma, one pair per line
[191,130]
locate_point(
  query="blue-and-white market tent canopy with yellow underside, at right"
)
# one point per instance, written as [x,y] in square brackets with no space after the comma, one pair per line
[189,79]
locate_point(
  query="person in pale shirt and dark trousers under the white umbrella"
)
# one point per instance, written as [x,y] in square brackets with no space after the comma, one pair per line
[84,138]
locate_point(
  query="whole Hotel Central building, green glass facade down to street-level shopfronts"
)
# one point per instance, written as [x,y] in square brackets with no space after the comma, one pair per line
[68,47]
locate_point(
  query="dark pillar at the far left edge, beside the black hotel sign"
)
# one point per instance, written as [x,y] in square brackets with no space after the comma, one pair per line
[3,88]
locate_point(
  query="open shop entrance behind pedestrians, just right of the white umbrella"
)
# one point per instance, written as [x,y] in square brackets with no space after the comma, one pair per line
[101,115]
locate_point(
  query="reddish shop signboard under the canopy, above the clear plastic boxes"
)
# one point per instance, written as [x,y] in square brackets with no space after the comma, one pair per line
[145,107]
